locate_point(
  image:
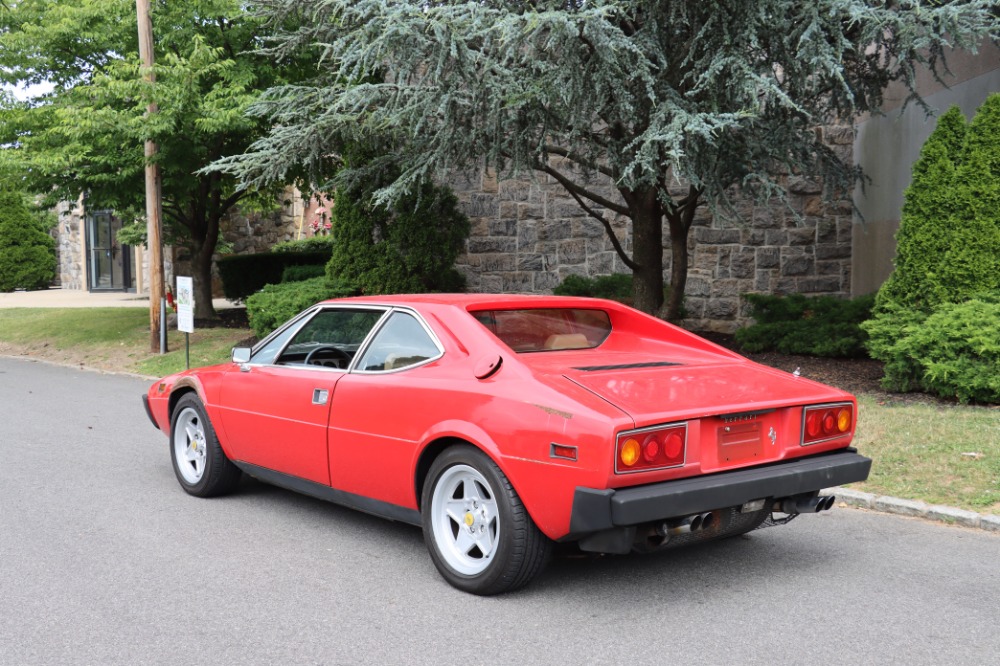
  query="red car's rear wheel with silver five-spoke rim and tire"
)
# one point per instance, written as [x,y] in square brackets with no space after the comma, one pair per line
[479,534]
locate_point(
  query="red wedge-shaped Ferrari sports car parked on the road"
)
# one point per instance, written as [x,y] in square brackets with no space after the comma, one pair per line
[502,424]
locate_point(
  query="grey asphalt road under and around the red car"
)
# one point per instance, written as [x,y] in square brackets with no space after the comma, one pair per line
[104,560]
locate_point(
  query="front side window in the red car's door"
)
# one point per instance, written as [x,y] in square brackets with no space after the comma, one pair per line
[330,338]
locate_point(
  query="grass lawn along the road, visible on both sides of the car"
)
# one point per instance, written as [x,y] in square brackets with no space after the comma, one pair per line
[939,453]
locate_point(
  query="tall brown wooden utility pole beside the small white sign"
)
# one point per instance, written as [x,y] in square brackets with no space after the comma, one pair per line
[154,207]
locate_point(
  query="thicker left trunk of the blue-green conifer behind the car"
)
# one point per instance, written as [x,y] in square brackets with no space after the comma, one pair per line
[647,250]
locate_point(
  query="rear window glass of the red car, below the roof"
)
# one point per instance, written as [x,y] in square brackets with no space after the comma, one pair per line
[547,329]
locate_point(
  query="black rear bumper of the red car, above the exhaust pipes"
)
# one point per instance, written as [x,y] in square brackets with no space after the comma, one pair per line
[597,510]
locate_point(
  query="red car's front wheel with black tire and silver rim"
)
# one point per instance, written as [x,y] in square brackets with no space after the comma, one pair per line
[200,464]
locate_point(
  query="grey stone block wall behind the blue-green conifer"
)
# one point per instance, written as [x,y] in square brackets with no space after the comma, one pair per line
[528,234]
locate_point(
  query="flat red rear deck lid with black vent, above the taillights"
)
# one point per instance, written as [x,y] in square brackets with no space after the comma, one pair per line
[693,385]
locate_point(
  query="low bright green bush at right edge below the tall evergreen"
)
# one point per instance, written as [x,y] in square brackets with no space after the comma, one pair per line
[953,353]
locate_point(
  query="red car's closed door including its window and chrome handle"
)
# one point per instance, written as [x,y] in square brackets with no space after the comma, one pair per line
[275,410]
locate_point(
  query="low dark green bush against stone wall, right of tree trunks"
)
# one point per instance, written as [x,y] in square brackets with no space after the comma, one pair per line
[797,324]
